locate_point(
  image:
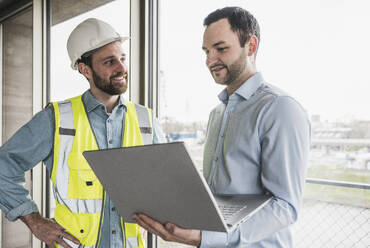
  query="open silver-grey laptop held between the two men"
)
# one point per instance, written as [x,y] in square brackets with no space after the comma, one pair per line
[161,181]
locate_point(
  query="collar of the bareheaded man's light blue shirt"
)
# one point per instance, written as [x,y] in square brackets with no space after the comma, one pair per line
[246,90]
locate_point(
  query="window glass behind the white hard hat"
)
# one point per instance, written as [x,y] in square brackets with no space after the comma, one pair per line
[66,82]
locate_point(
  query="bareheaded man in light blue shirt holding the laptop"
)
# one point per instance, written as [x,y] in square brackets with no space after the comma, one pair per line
[257,141]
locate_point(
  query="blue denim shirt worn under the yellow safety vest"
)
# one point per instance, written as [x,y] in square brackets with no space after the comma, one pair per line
[33,143]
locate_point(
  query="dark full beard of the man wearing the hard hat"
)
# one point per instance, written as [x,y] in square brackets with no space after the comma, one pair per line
[110,87]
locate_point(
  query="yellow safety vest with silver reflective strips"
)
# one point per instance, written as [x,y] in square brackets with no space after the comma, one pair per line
[80,198]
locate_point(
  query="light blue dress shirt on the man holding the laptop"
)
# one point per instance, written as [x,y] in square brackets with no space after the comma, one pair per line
[258,142]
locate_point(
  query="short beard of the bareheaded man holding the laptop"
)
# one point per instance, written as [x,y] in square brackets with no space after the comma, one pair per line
[233,71]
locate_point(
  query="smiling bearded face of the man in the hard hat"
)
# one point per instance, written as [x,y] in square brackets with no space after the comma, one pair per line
[109,71]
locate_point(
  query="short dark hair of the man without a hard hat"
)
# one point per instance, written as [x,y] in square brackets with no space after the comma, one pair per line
[241,21]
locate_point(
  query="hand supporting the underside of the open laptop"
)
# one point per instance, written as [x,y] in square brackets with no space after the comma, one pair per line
[169,231]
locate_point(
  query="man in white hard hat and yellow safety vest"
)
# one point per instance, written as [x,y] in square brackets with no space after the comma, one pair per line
[99,118]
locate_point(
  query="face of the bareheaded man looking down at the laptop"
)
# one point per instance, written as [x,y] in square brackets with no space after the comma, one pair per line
[226,59]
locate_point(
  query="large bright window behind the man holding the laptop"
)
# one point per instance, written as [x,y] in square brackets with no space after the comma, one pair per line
[318,52]
